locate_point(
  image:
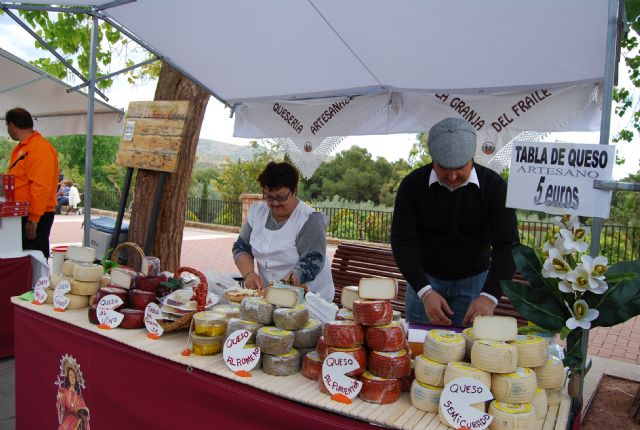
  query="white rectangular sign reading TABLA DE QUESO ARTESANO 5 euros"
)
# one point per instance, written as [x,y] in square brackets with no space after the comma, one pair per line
[557,178]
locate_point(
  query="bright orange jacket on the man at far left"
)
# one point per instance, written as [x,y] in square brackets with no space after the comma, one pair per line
[34,163]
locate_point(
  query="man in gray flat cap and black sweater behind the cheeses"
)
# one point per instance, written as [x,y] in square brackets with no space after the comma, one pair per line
[452,234]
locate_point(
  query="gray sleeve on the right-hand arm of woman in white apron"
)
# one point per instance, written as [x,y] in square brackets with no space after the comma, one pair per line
[311,244]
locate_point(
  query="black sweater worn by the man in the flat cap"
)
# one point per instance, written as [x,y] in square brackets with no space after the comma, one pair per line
[453,234]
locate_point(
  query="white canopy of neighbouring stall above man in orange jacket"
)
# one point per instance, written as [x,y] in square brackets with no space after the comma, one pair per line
[55,112]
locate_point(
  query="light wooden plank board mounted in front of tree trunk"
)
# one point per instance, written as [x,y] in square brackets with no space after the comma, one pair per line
[152,135]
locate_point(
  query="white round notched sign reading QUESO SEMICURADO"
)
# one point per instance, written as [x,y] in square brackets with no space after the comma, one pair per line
[456,400]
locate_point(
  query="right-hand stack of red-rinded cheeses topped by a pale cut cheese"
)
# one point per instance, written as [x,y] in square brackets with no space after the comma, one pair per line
[389,360]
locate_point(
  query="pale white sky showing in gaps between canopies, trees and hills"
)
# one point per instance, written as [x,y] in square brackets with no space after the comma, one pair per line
[218,125]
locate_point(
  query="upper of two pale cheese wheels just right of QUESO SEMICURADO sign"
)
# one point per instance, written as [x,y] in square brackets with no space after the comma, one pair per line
[517,387]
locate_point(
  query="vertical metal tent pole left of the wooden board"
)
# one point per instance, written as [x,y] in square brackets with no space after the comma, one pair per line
[88,158]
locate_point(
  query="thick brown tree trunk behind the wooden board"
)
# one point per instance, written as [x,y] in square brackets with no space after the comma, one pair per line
[167,244]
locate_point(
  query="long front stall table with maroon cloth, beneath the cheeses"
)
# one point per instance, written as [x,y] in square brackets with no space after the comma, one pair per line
[134,382]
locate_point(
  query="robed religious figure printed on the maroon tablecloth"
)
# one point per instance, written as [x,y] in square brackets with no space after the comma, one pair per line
[73,414]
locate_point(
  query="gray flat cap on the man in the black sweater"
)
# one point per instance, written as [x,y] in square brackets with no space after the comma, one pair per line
[452,142]
